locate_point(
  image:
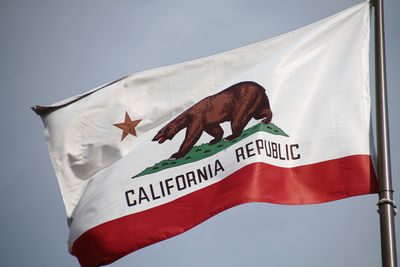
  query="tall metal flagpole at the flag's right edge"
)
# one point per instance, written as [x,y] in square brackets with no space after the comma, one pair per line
[386,203]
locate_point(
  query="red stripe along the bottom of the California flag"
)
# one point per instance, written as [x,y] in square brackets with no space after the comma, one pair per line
[257,182]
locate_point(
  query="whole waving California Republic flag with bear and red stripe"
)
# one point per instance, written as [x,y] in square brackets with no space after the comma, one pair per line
[151,155]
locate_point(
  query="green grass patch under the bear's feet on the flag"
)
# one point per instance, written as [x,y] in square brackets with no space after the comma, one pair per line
[205,150]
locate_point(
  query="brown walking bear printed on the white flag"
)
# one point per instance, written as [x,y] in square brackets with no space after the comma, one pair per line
[237,104]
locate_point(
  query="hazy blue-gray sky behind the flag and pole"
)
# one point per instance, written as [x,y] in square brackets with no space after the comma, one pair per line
[51,50]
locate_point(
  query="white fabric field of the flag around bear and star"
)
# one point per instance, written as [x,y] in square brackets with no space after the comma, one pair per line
[316,79]
